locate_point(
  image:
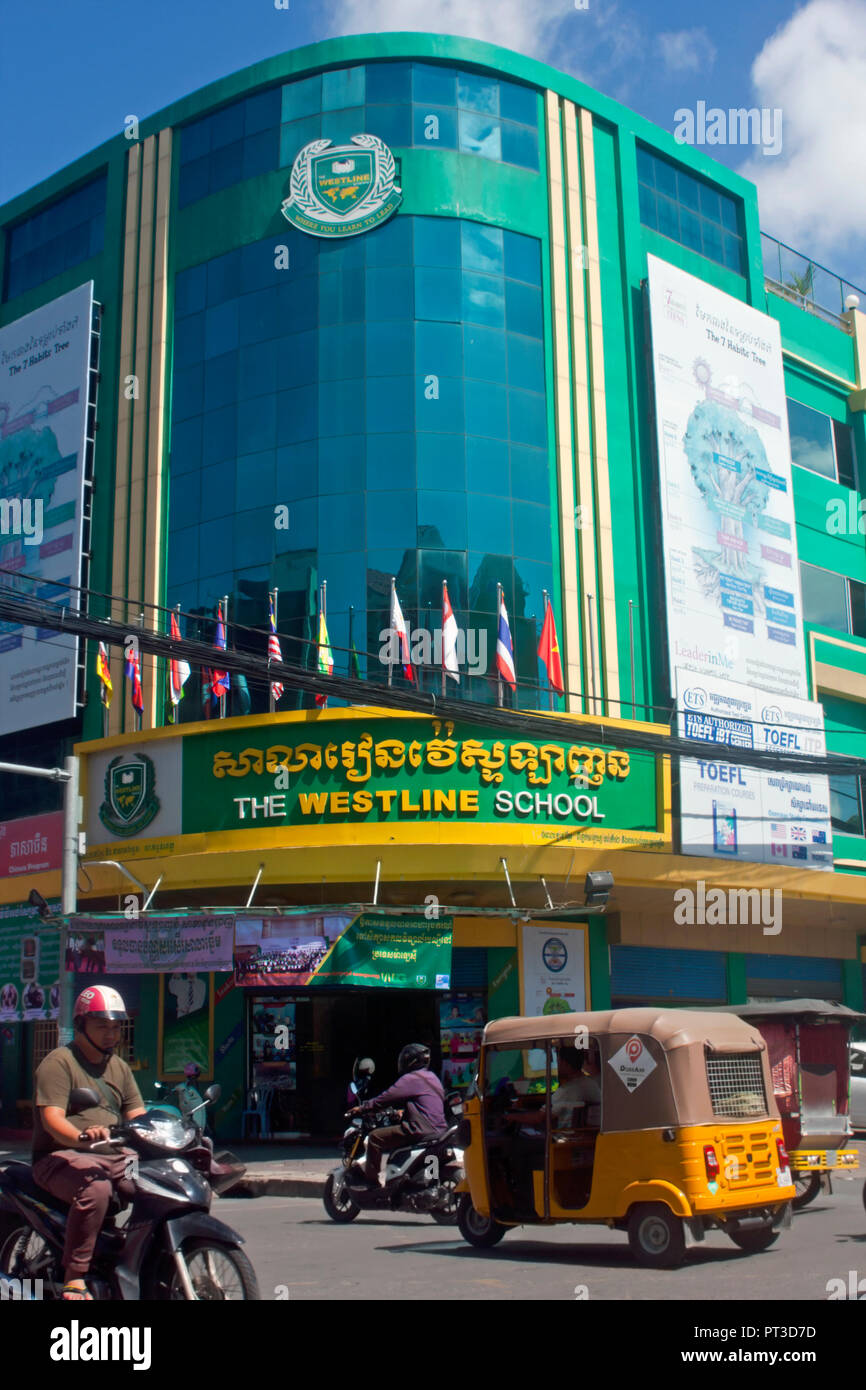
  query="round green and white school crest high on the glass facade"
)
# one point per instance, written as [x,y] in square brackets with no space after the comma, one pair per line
[340,191]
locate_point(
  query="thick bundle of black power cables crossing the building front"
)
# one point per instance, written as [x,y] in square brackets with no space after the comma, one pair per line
[33,612]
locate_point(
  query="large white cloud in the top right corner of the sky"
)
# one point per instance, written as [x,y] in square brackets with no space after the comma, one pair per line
[814,69]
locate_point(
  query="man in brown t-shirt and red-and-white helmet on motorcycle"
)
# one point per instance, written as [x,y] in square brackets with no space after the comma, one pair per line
[83,1179]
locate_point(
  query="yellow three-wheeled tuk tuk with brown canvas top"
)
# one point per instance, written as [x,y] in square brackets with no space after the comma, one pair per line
[658,1122]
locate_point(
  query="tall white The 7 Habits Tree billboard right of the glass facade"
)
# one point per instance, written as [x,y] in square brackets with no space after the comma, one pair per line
[732,572]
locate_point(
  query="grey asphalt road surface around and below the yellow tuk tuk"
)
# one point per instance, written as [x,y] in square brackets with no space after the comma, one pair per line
[300,1254]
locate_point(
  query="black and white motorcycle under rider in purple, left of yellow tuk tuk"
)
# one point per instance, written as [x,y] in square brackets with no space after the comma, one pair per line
[420,1178]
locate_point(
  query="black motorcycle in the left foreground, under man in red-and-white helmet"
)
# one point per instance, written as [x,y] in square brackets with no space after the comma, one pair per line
[169,1249]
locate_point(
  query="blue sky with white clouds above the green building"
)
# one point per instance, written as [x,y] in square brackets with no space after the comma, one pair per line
[72,72]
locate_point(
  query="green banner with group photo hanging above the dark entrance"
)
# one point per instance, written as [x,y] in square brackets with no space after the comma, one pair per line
[332,950]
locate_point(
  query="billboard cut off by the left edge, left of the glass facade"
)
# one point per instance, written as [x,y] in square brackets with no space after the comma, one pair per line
[44,412]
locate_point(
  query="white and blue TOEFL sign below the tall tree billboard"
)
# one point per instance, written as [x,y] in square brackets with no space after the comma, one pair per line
[735,812]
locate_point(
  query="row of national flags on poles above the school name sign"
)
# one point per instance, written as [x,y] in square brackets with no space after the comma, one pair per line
[219,680]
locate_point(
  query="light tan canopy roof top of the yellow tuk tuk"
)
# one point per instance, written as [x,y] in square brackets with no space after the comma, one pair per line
[722,1032]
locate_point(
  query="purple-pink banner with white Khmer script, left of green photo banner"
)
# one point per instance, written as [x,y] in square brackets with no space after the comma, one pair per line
[163,945]
